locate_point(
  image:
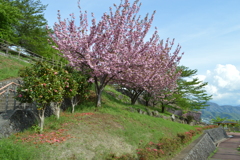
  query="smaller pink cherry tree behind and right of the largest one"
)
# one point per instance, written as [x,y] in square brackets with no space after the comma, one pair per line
[157,74]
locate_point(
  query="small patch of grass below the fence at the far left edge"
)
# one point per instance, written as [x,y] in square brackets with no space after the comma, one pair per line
[9,67]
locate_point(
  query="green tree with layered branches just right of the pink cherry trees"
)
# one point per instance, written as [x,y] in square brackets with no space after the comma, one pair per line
[189,95]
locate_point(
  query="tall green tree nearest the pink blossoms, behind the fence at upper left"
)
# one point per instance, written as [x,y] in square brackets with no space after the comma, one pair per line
[31,29]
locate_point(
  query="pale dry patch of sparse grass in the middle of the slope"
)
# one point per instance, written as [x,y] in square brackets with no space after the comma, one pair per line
[92,139]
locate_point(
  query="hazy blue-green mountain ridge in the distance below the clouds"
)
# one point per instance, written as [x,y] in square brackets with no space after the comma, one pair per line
[224,111]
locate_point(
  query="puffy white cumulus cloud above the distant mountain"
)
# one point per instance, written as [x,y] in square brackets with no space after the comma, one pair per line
[223,84]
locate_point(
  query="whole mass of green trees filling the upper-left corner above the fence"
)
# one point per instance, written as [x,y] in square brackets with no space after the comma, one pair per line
[23,23]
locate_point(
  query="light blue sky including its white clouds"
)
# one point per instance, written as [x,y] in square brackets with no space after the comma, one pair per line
[207,30]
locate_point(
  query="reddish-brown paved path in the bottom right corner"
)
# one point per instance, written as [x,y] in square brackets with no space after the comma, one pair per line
[227,150]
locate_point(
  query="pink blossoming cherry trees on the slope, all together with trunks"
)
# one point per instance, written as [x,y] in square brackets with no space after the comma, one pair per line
[116,50]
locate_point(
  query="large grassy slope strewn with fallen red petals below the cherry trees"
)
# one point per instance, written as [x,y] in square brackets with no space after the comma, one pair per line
[90,133]
